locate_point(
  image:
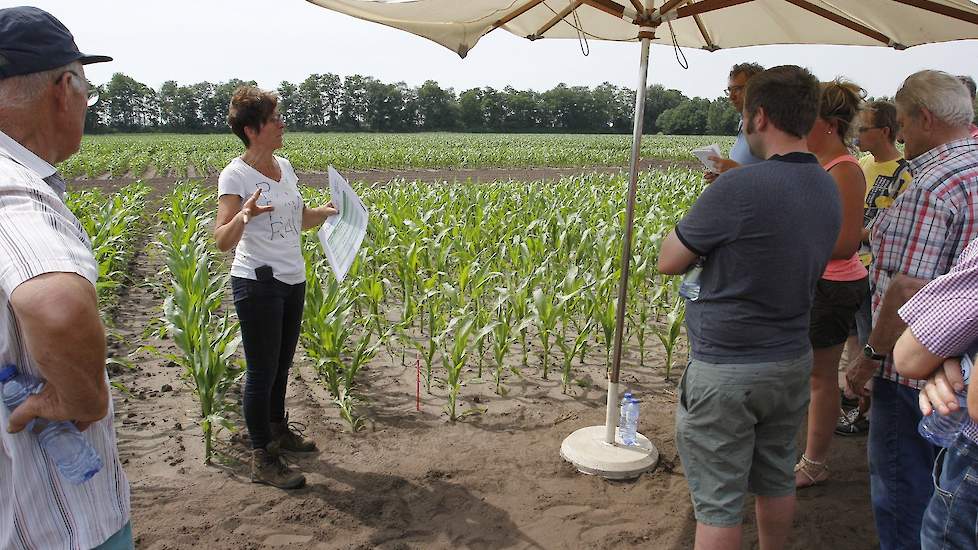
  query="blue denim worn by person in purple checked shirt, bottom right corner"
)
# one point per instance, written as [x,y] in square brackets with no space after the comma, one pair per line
[951,519]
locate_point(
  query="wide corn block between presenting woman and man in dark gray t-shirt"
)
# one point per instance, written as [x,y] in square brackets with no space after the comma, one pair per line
[490,282]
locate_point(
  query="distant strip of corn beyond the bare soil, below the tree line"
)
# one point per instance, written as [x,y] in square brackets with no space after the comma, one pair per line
[174,155]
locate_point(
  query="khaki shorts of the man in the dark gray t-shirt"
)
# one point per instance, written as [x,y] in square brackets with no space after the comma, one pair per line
[735,431]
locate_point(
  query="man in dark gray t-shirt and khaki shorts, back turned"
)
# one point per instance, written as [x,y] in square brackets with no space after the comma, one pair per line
[765,233]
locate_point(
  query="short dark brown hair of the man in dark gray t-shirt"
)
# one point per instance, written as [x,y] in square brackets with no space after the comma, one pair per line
[789,95]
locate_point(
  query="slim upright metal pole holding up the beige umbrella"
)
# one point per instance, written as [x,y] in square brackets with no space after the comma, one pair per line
[611,417]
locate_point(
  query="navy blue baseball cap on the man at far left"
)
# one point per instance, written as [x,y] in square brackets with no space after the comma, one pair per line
[32,40]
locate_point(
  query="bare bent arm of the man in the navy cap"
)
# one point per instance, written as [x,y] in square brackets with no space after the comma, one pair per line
[58,316]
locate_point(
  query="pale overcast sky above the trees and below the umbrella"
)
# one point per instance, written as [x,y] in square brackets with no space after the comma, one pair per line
[271,41]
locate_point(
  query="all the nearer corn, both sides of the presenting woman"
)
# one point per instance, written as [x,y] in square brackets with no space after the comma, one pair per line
[474,284]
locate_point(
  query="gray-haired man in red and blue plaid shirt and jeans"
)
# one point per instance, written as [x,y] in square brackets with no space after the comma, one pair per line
[915,241]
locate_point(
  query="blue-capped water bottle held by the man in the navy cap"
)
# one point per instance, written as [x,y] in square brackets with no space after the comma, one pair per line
[76,460]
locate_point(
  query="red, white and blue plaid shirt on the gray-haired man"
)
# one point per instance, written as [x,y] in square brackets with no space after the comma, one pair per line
[928,226]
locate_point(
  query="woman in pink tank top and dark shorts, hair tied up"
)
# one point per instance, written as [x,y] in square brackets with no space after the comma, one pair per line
[843,285]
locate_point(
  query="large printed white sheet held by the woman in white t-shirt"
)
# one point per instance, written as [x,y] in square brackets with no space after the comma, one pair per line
[342,234]
